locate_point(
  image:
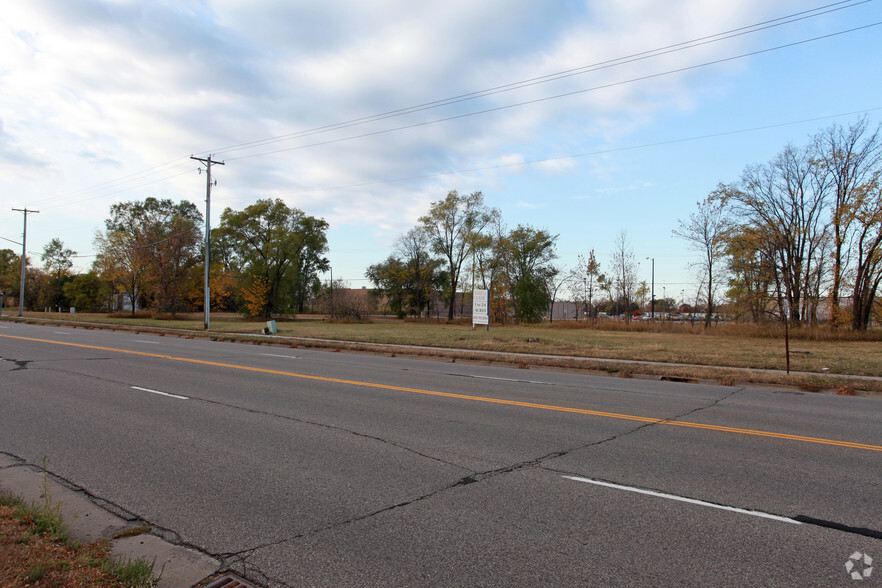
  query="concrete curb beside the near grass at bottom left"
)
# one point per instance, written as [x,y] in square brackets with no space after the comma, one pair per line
[88,521]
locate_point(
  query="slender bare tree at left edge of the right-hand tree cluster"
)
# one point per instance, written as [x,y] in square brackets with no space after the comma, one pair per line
[705,230]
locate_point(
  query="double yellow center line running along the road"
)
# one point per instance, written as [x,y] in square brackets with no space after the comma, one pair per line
[584,411]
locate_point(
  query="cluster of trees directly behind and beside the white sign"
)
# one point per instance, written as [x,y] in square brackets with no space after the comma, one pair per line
[459,244]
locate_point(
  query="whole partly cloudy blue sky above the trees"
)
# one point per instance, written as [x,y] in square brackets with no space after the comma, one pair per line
[583,118]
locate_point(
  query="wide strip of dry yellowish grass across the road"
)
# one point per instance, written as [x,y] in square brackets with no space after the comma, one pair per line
[819,350]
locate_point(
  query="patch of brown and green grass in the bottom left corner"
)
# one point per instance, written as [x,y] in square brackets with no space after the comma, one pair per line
[36,550]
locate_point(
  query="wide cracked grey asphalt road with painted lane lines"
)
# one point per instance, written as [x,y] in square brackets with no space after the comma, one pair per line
[311,468]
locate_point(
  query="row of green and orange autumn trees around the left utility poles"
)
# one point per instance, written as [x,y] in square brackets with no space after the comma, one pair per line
[265,260]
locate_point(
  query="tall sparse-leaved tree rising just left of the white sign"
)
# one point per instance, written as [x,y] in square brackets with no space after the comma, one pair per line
[455,228]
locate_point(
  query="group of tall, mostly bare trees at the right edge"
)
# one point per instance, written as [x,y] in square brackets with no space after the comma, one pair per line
[798,233]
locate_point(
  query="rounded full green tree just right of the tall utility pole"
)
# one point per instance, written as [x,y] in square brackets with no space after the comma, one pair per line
[281,245]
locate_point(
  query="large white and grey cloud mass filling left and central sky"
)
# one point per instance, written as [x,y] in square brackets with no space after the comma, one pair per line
[112,88]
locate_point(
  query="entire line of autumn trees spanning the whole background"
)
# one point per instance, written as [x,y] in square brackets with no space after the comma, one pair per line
[798,238]
